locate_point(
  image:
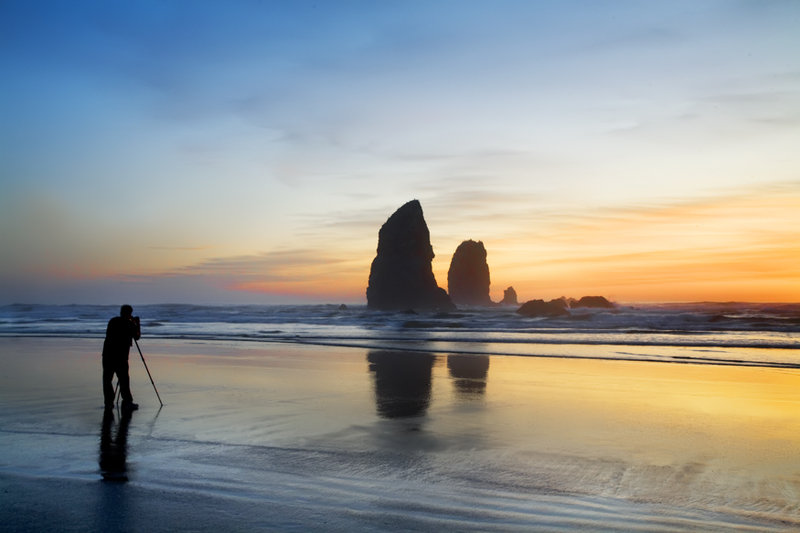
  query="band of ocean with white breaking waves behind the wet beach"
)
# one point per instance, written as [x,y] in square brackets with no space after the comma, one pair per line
[739,334]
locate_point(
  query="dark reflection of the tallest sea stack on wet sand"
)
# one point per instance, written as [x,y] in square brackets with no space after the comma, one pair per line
[402,382]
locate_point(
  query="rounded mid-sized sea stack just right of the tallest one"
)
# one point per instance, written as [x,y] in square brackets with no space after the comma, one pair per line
[468,276]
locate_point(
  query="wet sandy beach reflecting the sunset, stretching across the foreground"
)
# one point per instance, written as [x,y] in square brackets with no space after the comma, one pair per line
[286,437]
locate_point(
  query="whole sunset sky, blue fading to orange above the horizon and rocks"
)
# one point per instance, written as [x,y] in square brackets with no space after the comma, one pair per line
[249,151]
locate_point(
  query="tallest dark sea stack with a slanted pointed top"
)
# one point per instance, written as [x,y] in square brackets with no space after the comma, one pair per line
[401,276]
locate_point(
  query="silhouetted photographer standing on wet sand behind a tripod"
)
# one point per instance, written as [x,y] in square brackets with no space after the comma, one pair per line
[122,330]
